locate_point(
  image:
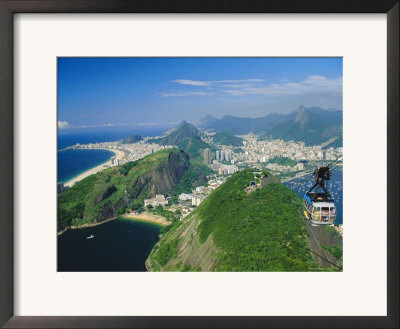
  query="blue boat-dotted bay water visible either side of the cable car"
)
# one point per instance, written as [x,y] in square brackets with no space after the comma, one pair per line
[335,187]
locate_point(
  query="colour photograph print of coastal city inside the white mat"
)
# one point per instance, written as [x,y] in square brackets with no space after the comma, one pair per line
[199,164]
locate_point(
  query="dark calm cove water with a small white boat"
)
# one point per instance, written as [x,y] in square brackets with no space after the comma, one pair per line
[118,245]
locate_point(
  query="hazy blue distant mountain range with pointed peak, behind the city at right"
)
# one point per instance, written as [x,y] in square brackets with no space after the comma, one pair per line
[311,125]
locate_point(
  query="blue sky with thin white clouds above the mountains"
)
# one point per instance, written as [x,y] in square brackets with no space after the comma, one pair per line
[102,92]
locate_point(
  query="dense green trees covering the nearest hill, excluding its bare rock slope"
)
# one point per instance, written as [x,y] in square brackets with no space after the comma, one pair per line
[260,231]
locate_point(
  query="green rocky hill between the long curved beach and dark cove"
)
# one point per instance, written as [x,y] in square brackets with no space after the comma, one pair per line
[112,191]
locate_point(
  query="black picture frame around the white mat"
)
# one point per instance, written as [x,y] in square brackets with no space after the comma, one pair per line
[10,7]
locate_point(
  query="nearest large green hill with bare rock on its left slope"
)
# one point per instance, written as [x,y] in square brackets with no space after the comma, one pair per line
[233,230]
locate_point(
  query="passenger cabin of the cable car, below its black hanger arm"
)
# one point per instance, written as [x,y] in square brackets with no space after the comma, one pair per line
[319,212]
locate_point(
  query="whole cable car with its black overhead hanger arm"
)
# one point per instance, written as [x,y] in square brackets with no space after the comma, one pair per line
[319,207]
